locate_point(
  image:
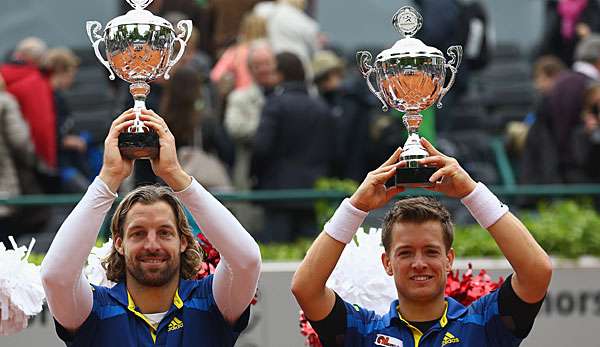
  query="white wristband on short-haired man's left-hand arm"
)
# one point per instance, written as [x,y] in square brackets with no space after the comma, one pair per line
[345,222]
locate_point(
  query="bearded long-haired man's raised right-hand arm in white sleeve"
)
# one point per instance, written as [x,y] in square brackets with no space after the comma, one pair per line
[236,277]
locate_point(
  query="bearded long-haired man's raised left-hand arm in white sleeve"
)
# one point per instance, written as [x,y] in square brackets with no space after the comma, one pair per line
[68,293]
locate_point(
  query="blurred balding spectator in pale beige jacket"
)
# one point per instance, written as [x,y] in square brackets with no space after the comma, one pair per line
[244,107]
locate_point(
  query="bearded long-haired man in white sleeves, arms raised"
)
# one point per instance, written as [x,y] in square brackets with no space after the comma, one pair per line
[154,259]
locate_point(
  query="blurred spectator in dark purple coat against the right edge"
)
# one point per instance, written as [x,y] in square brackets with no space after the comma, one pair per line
[560,111]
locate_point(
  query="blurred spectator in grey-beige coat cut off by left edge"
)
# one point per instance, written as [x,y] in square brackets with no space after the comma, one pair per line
[15,142]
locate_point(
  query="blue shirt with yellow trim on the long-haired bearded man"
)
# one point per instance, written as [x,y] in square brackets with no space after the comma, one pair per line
[193,320]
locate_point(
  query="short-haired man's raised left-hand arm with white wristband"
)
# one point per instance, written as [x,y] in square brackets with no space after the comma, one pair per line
[308,284]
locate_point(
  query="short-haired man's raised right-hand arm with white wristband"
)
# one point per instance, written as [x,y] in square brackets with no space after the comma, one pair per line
[531,264]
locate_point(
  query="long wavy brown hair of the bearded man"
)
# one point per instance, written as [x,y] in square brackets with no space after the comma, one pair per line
[114,264]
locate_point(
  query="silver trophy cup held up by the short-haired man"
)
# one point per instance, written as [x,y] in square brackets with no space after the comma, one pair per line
[410,77]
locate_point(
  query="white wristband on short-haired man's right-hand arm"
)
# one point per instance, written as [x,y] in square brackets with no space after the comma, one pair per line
[484,206]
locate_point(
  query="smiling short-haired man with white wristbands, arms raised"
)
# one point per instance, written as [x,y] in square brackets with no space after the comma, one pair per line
[417,236]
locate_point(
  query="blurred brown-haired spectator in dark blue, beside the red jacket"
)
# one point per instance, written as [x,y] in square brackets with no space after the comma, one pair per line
[62,64]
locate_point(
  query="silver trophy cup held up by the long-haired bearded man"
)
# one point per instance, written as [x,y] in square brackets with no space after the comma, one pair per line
[139,49]
